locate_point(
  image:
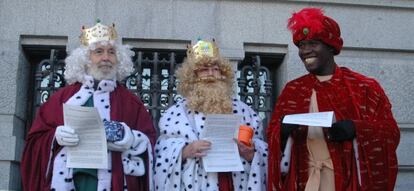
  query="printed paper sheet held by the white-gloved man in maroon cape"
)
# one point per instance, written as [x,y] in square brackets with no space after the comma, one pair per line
[91,152]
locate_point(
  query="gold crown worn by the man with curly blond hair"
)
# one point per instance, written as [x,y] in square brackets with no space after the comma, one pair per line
[202,49]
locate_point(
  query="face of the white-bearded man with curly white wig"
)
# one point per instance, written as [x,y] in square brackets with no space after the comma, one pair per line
[103,62]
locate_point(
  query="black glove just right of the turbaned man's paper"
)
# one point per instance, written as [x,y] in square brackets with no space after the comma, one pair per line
[343,130]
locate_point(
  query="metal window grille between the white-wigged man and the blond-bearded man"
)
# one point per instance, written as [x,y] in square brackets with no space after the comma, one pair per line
[154,80]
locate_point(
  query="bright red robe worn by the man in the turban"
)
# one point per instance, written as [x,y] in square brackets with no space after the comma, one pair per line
[351,96]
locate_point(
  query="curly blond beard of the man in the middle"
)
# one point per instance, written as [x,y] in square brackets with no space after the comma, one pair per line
[211,97]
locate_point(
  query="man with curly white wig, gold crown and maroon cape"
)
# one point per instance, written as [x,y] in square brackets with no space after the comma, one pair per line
[93,72]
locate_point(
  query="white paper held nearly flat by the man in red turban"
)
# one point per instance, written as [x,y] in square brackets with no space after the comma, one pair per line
[319,119]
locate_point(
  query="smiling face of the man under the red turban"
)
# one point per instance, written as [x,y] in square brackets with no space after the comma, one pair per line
[317,57]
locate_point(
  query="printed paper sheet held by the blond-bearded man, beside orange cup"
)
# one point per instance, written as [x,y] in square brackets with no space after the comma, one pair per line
[224,156]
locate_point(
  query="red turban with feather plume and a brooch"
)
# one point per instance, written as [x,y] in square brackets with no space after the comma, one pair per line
[312,24]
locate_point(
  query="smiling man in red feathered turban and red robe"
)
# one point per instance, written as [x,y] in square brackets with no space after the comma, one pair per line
[358,151]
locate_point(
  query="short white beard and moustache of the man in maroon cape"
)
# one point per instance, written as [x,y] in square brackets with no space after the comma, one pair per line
[100,71]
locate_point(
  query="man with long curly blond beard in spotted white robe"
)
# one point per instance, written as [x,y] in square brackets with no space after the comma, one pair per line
[206,83]
